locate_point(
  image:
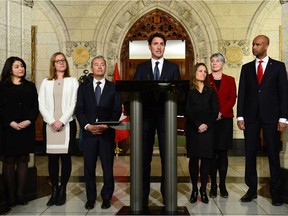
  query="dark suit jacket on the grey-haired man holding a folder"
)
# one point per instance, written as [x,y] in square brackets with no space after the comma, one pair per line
[108,109]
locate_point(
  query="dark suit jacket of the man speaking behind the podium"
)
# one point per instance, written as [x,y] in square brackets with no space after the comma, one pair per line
[153,103]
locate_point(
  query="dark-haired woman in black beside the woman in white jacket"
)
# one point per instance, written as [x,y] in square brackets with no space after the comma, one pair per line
[19,111]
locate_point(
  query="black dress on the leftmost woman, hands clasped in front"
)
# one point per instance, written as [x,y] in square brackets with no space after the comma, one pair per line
[18,103]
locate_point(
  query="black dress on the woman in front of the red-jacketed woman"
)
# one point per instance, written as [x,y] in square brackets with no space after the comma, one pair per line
[200,108]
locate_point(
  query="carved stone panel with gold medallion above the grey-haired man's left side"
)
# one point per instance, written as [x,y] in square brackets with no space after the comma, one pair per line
[81,52]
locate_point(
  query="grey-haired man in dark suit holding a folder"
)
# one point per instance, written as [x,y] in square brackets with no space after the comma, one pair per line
[98,138]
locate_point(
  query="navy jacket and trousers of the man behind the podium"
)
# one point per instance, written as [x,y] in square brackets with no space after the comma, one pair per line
[153,118]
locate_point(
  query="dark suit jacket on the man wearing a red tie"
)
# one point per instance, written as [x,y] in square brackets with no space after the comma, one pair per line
[267,101]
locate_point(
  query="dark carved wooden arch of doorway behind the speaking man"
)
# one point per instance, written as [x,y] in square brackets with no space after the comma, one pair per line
[156,21]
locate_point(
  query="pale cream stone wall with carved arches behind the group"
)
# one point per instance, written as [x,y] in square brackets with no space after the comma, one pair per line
[214,26]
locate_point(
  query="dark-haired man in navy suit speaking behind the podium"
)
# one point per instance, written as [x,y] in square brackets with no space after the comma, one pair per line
[157,68]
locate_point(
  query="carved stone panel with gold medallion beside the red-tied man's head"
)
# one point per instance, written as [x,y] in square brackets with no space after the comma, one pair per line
[234,50]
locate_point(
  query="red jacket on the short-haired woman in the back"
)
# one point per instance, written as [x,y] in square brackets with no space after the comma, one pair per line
[226,95]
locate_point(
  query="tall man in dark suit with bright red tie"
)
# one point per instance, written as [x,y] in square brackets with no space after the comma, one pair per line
[262,103]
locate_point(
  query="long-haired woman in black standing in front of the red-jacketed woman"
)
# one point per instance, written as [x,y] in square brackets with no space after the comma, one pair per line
[201,114]
